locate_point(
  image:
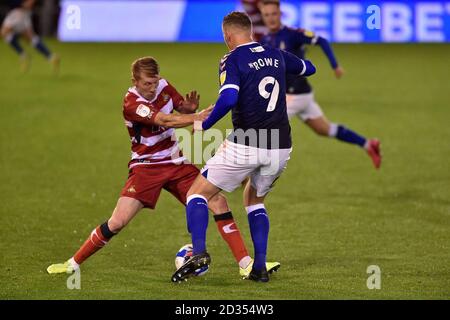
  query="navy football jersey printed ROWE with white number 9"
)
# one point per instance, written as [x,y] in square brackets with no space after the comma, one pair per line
[259,74]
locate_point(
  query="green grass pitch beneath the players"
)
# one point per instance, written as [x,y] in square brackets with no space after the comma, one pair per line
[63,160]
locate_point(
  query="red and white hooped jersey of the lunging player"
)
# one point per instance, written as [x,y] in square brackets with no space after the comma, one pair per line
[151,144]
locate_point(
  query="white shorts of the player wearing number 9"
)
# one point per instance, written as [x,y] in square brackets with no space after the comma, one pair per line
[234,162]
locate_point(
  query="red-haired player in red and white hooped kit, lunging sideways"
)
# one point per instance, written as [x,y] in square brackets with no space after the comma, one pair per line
[157,163]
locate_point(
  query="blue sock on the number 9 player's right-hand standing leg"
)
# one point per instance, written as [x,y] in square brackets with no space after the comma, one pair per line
[259,228]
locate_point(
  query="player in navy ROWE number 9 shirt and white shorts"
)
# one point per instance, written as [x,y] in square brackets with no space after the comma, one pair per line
[252,86]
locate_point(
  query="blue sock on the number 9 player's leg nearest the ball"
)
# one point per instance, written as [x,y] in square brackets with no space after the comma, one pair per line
[197,220]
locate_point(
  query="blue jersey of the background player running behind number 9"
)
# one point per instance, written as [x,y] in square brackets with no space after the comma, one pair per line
[293,41]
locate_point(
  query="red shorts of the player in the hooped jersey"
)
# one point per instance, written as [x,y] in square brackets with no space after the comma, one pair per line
[146,181]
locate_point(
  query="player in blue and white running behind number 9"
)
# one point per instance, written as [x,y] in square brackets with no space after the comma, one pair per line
[300,97]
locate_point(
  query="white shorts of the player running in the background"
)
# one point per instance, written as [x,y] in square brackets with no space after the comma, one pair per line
[303,106]
